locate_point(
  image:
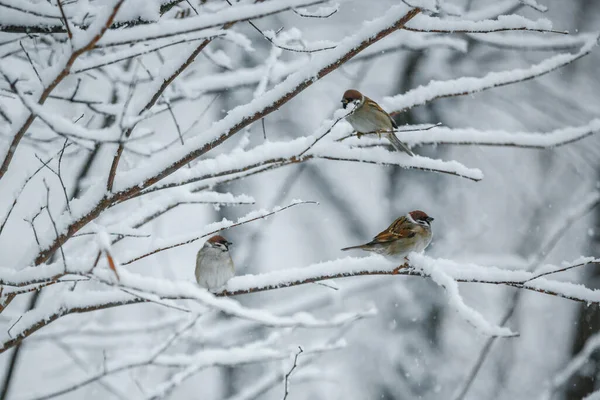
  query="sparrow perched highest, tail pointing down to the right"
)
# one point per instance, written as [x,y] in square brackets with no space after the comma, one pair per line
[368,117]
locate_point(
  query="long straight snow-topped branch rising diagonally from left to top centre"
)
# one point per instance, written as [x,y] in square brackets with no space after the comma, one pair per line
[147,174]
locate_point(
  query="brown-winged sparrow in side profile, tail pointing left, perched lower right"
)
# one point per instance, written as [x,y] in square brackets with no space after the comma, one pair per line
[411,232]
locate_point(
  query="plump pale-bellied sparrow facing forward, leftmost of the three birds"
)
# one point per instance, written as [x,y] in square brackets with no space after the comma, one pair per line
[214,266]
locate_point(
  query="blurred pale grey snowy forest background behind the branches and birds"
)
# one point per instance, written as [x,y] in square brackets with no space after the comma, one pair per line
[416,346]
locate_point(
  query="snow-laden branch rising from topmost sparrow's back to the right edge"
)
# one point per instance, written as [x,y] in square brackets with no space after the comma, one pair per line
[468,85]
